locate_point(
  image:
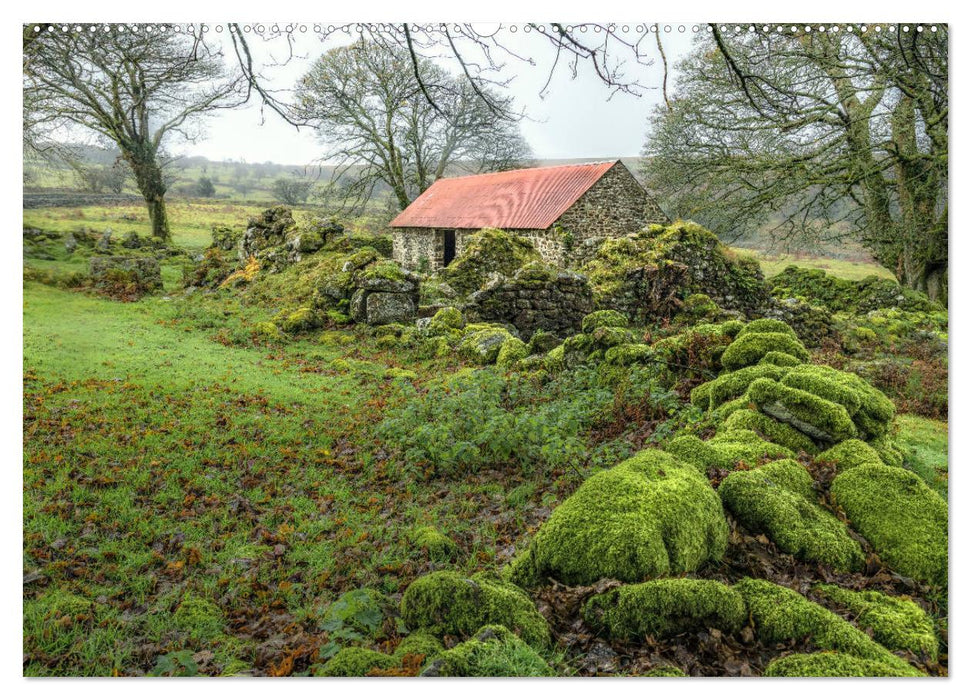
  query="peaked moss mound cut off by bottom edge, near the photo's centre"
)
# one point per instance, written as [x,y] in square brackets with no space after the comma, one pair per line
[493,652]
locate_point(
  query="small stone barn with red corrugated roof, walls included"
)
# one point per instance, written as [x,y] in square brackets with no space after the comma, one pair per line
[565,211]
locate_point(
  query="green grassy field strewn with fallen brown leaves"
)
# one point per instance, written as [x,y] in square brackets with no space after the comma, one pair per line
[194,497]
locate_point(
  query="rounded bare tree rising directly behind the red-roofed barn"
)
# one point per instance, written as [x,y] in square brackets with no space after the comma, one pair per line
[372,112]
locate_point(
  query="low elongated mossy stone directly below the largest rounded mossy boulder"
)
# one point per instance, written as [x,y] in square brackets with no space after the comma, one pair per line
[664,608]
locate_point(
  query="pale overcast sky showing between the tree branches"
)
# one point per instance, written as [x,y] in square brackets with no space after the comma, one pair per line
[575,118]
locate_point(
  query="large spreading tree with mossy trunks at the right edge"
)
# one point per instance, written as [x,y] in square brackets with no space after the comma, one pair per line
[839,134]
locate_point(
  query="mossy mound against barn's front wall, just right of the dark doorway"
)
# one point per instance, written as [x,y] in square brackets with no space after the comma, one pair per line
[485,253]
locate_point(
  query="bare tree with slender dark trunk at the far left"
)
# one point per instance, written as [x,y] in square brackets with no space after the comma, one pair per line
[129,85]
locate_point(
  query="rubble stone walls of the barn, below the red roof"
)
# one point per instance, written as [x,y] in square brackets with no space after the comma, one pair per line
[614,206]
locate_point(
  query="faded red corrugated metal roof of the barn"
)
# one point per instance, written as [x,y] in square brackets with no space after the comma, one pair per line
[515,199]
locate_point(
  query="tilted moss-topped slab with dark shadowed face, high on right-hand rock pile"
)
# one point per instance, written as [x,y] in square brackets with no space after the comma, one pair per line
[822,420]
